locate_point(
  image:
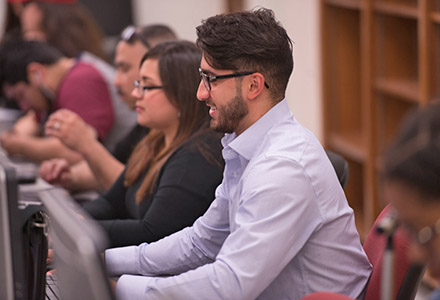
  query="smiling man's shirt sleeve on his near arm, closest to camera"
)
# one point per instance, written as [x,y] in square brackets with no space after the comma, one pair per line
[273,220]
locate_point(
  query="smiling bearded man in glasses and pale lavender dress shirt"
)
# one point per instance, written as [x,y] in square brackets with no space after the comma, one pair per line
[280,226]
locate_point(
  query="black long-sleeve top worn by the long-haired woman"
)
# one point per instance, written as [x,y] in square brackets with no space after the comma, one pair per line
[184,190]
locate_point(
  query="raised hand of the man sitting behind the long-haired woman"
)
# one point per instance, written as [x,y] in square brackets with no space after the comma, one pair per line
[71,129]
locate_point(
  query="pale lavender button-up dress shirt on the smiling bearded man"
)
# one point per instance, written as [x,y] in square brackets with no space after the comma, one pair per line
[279,228]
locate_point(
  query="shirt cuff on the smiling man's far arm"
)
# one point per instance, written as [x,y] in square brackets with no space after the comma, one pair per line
[122,260]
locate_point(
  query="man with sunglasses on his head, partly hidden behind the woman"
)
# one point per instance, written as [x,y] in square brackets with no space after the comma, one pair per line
[100,168]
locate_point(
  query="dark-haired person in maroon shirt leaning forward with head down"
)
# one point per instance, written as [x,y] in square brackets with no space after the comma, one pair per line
[42,80]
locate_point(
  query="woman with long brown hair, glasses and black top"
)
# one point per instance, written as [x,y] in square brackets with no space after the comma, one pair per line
[172,174]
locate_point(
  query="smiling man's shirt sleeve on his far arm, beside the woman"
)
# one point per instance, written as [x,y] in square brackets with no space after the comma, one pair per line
[186,249]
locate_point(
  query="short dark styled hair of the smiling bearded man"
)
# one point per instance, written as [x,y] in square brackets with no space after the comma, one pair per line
[249,41]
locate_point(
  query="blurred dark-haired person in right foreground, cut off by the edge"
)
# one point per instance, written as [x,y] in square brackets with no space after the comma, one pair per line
[411,176]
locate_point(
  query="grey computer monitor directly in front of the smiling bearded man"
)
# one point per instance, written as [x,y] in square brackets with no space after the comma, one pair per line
[78,243]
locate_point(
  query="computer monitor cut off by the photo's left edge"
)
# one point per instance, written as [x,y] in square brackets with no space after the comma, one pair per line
[12,277]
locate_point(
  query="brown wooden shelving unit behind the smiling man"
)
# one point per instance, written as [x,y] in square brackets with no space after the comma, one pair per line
[381,59]
